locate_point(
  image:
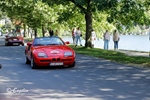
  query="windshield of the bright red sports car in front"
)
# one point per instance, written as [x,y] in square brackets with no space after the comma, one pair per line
[48,41]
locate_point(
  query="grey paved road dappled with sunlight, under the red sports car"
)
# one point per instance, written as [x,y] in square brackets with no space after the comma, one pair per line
[91,79]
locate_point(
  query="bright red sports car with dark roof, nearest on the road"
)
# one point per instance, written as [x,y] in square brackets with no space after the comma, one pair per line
[49,51]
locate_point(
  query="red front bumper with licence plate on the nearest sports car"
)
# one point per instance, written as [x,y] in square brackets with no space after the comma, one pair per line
[54,61]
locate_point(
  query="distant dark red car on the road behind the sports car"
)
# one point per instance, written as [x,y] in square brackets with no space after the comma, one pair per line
[14,39]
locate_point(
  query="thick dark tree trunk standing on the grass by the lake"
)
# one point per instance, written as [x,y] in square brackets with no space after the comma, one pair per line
[88,18]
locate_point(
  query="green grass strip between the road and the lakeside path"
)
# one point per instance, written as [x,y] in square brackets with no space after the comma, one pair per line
[113,56]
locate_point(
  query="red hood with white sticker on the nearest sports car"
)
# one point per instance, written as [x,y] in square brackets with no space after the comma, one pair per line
[53,50]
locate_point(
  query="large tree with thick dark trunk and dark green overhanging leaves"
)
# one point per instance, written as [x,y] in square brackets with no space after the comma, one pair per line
[120,12]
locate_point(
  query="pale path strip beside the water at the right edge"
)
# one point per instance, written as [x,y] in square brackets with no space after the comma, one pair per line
[134,53]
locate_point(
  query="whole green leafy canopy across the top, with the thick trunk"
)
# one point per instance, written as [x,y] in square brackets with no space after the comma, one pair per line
[99,15]
